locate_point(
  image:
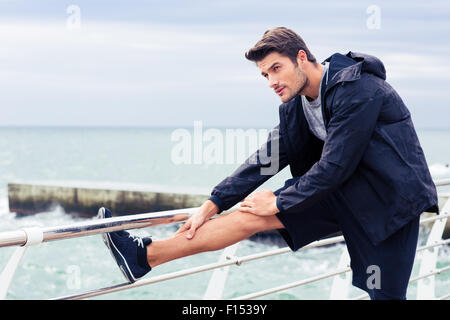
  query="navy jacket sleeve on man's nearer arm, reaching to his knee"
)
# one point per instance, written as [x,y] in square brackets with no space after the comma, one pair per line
[348,134]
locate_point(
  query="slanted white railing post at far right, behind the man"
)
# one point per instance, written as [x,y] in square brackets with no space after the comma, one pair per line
[425,287]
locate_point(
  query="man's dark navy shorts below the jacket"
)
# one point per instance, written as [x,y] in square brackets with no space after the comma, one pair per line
[393,258]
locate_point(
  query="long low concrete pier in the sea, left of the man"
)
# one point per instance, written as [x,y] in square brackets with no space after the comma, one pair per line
[34,198]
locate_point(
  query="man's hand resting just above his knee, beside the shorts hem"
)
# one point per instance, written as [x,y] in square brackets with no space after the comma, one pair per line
[261,203]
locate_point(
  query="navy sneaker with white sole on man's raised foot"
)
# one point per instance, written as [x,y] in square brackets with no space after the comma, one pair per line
[130,252]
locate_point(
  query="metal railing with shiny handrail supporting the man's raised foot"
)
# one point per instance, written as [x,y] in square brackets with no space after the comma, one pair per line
[32,236]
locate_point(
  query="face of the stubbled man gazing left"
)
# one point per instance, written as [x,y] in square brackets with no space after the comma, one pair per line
[285,78]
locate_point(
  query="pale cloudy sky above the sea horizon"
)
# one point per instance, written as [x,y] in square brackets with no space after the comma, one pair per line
[170,63]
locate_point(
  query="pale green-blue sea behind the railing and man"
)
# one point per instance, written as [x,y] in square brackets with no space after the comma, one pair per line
[133,158]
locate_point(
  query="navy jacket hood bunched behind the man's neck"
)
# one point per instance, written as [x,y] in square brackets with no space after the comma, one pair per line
[350,66]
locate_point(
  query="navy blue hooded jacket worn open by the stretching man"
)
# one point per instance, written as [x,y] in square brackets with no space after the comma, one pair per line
[371,154]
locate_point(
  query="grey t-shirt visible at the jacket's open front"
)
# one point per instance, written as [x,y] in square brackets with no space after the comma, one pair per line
[313,110]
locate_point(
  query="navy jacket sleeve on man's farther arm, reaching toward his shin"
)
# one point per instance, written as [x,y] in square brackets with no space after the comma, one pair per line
[267,161]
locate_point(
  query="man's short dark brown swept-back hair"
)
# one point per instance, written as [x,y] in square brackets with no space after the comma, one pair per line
[282,40]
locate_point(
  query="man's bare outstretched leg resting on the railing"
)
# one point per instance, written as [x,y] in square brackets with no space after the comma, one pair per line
[213,235]
